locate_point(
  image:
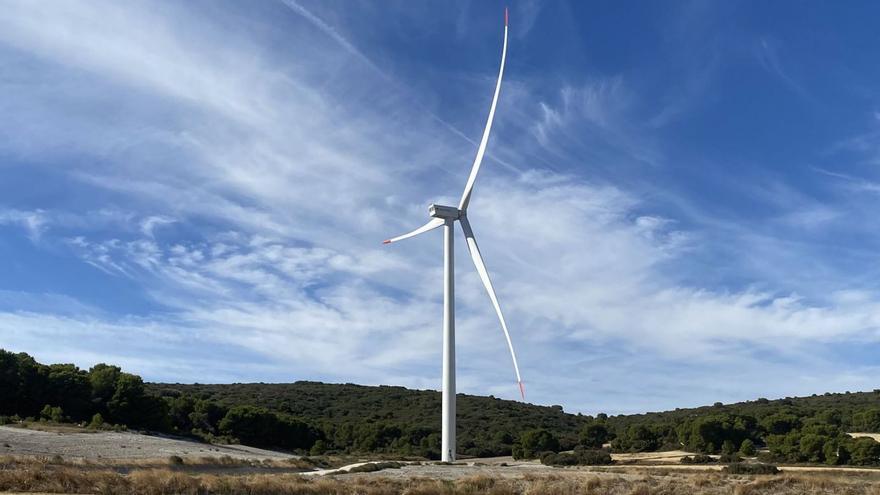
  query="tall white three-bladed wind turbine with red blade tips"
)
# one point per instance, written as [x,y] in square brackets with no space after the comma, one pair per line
[446,217]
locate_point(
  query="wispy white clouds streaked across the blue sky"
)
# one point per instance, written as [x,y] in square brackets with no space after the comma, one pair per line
[294,166]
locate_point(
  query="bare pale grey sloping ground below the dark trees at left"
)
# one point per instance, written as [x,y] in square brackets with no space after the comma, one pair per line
[118,445]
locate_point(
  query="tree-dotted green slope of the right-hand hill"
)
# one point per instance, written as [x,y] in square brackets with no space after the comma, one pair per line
[808,429]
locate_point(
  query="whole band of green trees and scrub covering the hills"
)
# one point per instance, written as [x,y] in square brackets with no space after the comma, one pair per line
[324,418]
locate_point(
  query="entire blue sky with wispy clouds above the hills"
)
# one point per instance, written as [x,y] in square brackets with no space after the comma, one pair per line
[677,204]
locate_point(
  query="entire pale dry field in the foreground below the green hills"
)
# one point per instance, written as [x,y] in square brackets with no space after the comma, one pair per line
[69,461]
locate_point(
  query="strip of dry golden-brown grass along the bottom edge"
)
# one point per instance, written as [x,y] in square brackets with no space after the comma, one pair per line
[46,476]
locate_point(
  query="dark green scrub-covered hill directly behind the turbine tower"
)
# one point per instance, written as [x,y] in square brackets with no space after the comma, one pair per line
[486,425]
